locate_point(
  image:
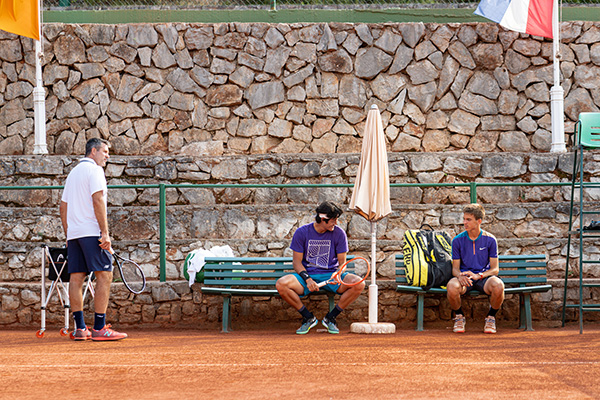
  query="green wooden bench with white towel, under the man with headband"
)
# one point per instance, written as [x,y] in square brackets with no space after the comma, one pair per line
[248,276]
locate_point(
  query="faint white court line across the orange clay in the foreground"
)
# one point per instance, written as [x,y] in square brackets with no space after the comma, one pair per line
[356,364]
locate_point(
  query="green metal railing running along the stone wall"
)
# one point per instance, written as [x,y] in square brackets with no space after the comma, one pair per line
[162,203]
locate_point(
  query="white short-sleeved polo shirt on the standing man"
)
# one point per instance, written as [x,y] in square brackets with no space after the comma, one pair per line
[83,181]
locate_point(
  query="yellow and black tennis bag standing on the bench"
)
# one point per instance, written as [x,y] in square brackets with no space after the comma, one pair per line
[427,257]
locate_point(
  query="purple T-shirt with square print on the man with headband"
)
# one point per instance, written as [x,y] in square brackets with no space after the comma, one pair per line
[319,250]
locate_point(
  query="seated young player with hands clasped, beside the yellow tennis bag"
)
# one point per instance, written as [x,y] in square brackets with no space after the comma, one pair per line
[475,267]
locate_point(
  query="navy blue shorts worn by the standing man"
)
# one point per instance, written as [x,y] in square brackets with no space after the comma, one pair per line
[85,255]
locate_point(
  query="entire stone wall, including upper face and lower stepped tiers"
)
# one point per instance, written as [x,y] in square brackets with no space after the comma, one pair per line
[260,103]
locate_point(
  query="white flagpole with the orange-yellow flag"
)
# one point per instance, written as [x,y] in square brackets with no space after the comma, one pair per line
[39,95]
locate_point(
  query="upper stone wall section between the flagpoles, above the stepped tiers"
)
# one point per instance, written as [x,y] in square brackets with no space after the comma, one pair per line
[236,88]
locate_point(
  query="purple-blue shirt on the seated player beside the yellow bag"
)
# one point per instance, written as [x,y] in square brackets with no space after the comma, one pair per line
[474,255]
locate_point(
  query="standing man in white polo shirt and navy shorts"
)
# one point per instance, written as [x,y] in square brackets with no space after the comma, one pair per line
[84,219]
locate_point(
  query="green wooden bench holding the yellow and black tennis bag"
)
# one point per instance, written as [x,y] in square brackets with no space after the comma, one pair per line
[522,275]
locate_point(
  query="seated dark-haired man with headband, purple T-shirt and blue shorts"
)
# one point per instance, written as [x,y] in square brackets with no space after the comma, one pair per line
[319,250]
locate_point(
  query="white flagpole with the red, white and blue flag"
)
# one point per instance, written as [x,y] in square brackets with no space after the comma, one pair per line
[557,110]
